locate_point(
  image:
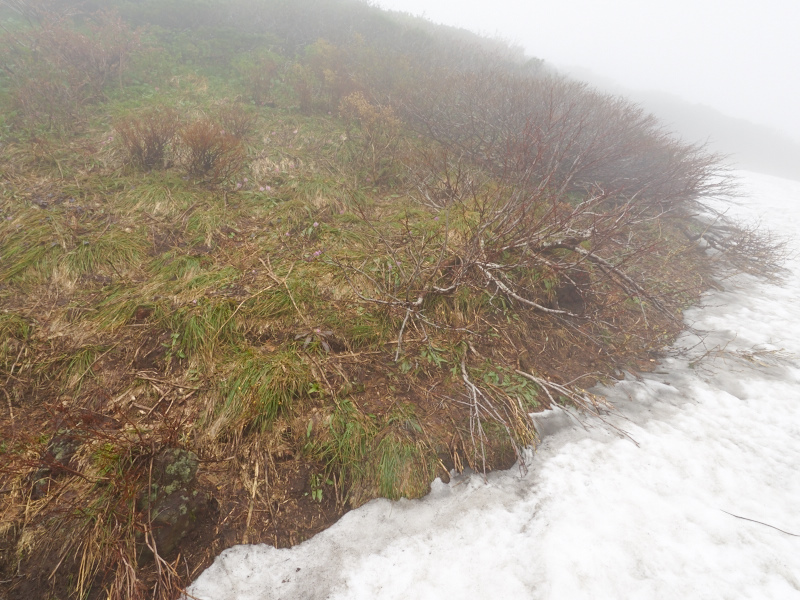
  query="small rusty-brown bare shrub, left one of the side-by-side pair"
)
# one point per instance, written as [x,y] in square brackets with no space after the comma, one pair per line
[147,137]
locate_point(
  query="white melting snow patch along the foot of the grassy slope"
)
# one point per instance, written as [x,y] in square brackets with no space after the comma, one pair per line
[597,516]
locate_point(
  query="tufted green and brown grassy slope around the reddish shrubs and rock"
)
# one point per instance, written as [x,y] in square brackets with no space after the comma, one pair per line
[269,320]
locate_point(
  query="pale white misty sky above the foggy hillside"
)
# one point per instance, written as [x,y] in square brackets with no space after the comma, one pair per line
[739,56]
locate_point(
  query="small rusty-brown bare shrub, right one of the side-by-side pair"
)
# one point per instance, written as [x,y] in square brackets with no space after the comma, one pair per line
[211,154]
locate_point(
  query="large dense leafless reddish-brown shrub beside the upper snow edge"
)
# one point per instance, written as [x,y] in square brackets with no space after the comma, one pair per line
[550,131]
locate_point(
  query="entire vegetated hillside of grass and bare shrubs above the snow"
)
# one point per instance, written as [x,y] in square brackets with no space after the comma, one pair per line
[260,270]
